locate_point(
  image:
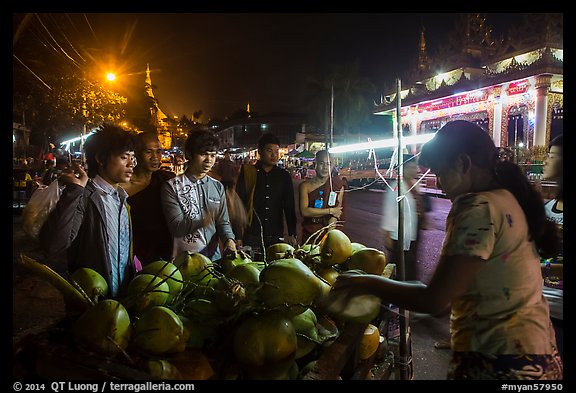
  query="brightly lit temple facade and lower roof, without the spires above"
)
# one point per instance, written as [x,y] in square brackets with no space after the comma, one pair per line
[514,99]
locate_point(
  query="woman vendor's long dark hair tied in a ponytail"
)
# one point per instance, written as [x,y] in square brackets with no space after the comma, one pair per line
[460,136]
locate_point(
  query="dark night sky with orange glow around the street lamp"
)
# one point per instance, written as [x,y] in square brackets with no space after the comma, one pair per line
[217,62]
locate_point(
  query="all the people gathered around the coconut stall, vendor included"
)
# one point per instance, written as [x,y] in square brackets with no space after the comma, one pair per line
[502,243]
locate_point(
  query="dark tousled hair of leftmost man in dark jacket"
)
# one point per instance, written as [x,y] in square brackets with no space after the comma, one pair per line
[108,140]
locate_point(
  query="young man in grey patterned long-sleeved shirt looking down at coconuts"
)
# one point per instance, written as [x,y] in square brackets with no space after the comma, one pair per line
[194,204]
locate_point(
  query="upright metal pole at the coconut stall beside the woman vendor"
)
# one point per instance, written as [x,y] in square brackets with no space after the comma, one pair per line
[405,355]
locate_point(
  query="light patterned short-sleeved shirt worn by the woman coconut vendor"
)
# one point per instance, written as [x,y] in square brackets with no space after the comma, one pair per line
[503,311]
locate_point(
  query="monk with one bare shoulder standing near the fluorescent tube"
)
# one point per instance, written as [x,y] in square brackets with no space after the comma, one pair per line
[314,194]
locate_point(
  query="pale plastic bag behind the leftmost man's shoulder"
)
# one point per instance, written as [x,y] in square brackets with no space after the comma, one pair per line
[38,208]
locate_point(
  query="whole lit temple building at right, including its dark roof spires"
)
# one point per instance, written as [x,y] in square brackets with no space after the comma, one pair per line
[513,87]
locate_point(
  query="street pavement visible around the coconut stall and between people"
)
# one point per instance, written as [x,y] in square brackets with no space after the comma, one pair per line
[36,304]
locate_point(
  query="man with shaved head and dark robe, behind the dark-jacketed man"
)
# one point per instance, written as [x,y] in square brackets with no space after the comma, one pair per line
[152,240]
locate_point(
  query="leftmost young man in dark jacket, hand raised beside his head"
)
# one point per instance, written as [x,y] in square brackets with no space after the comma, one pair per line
[91,220]
